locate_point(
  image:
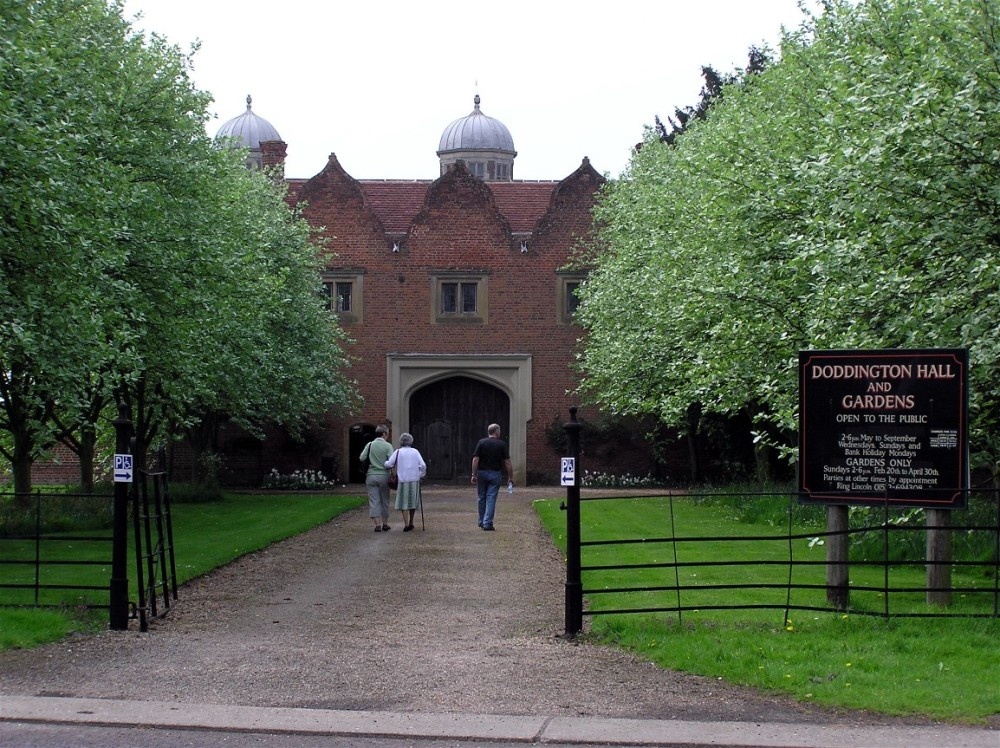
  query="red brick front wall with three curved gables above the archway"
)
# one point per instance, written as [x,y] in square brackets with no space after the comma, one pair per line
[459,228]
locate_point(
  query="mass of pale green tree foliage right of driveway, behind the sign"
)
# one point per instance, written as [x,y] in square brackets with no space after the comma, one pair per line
[846,196]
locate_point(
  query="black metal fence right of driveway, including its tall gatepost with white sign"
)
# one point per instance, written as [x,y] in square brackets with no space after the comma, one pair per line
[580,571]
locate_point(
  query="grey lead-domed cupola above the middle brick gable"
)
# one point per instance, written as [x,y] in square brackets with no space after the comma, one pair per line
[483,143]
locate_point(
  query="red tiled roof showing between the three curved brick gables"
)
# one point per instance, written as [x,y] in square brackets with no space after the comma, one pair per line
[397,203]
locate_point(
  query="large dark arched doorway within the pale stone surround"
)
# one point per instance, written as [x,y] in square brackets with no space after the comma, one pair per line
[448,417]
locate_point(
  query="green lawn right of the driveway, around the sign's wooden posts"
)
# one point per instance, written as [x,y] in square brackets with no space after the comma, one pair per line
[902,666]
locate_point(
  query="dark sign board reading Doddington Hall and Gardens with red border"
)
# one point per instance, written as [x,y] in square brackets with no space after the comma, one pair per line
[884,426]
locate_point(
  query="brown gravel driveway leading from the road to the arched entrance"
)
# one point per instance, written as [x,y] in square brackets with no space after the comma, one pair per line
[447,619]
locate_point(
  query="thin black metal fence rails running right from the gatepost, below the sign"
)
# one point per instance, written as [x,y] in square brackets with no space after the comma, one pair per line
[664,574]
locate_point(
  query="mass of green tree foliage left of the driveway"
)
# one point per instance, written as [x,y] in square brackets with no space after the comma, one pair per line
[140,262]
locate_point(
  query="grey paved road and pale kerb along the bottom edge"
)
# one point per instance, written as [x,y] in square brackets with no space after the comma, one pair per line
[111,723]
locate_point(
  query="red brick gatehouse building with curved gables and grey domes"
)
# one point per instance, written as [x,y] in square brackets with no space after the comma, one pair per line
[456,293]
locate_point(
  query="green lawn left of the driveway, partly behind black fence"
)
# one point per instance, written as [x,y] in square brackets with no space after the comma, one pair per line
[206,535]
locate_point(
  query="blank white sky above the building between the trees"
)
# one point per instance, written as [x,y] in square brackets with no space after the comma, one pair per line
[377,81]
